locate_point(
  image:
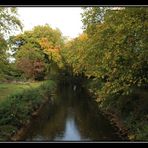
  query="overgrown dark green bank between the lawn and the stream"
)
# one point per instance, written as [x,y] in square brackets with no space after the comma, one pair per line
[16,109]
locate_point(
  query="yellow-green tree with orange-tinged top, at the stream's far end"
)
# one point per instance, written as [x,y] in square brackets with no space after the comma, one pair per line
[75,53]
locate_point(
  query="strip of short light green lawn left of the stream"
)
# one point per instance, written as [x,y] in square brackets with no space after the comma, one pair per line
[7,89]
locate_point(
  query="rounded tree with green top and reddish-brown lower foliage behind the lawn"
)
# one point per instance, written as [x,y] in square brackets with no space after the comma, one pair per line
[31,62]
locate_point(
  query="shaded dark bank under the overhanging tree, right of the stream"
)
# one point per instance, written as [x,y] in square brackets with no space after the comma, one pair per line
[129,112]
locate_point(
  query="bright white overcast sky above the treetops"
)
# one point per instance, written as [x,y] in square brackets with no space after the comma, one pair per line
[67,19]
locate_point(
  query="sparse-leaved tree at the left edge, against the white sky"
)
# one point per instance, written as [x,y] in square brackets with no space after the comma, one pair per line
[8,23]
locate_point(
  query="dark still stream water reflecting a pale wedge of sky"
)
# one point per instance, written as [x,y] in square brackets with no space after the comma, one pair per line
[74,116]
